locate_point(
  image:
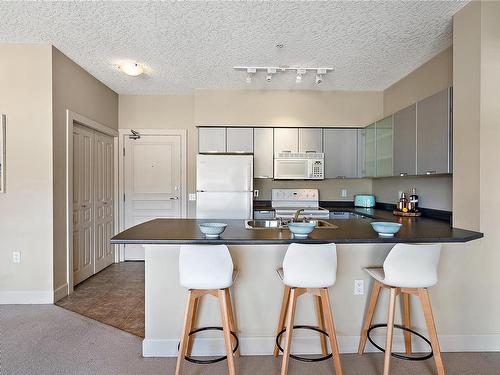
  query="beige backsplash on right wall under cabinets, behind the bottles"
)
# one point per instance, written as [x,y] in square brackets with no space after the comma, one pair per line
[433,191]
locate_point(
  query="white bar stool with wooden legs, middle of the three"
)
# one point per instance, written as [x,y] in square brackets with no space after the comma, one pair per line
[308,269]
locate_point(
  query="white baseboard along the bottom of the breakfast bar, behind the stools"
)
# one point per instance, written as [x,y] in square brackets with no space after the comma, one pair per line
[311,345]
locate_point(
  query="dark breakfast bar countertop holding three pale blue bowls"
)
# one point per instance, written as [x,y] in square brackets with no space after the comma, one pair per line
[352,231]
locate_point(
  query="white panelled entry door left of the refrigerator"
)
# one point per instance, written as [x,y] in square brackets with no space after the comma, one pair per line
[152,182]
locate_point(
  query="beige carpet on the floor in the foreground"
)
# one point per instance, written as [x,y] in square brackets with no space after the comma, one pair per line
[46,339]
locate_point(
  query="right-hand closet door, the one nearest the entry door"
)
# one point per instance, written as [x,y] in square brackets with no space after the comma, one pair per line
[103,200]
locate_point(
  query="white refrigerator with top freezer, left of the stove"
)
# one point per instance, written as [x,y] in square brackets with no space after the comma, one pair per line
[224,186]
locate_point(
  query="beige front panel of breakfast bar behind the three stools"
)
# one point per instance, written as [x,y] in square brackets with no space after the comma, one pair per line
[257,296]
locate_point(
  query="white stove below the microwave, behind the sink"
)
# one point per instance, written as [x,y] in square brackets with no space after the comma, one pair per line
[287,201]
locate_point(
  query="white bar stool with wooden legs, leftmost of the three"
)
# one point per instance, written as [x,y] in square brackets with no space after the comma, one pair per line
[207,270]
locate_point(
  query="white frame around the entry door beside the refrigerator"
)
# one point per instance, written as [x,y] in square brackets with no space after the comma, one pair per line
[121,187]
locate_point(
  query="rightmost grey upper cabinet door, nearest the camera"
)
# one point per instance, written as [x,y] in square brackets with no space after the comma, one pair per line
[433,134]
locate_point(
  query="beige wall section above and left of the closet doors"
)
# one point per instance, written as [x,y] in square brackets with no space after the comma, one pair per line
[74,89]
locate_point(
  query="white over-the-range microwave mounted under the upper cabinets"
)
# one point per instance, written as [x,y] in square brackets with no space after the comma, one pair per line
[299,166]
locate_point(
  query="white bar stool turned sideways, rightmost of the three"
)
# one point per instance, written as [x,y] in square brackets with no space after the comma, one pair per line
[407,270]
